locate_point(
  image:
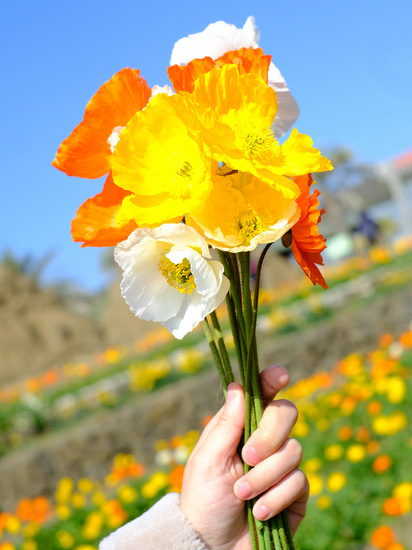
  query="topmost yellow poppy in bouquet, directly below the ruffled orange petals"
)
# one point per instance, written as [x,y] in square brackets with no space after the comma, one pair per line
[231,113]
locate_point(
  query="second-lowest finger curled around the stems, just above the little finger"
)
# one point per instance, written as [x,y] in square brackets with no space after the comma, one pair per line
[271,471]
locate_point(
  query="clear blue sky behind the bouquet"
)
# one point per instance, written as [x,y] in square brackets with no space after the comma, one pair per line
[348,64]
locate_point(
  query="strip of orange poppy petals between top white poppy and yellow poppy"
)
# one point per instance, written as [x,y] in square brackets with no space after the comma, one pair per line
[248,60]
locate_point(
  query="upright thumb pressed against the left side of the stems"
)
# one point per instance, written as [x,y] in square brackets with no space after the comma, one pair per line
[226,432]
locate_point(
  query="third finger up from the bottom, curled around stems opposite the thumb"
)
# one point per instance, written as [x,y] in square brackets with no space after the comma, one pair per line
[274,428]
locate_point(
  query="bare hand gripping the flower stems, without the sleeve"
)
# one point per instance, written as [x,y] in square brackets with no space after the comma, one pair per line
[214,488]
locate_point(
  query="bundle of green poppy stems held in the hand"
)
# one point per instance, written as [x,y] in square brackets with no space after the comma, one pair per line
[272,534]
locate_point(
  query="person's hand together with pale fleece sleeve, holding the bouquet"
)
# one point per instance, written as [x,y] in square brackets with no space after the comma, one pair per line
[210,514]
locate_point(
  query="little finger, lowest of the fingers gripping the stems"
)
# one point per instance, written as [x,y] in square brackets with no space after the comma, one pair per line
[292,491]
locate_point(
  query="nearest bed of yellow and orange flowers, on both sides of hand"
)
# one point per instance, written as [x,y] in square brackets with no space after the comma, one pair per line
[353,428]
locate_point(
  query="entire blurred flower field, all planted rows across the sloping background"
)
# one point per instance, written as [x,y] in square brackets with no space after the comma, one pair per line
[353,426]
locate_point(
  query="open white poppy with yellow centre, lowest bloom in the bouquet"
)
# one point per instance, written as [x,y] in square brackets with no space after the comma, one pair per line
[169,277]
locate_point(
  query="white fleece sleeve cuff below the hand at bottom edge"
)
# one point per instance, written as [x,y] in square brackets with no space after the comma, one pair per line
[162,526]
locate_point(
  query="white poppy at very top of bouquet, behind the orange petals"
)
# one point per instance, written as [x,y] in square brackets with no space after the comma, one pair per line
[219,38]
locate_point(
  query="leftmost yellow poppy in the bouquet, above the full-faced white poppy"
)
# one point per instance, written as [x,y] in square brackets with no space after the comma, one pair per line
[161,165]
